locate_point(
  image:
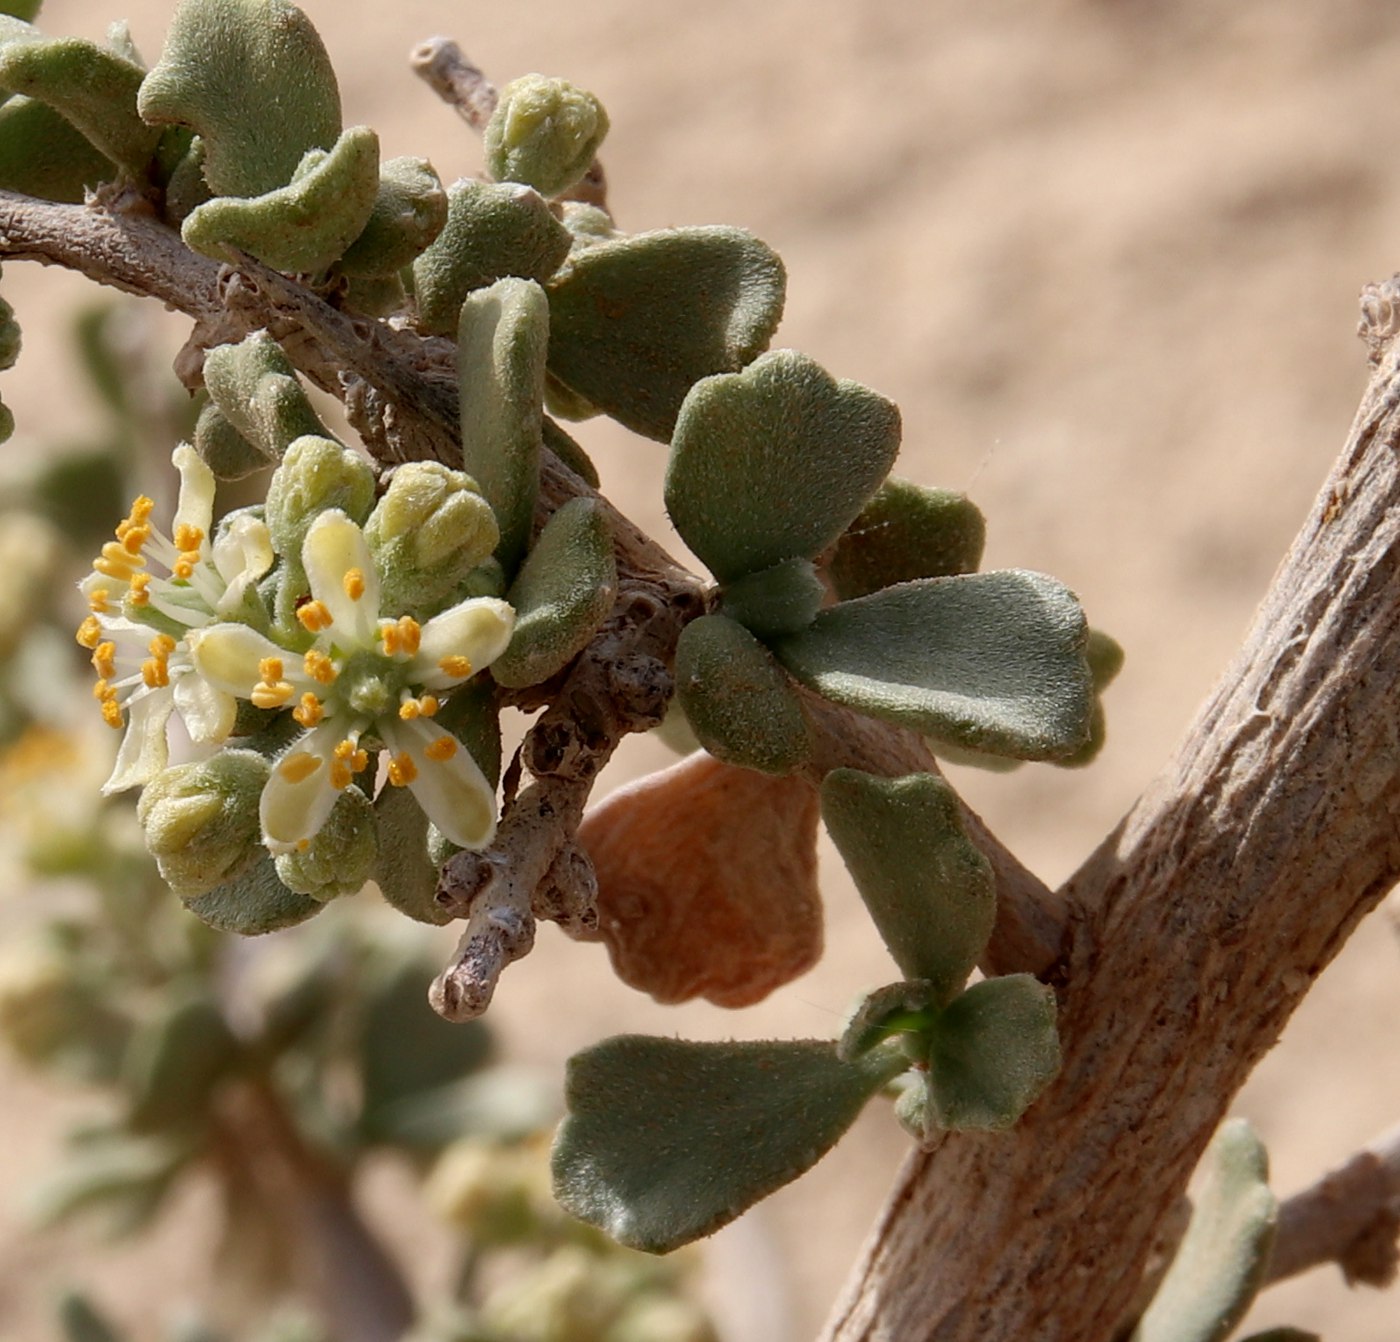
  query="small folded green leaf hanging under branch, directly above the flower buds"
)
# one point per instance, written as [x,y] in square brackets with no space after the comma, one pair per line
[257,390]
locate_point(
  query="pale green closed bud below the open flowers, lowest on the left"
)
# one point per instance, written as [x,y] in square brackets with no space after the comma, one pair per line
[201,821]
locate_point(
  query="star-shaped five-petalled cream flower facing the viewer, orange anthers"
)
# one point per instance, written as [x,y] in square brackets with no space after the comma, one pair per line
[363,678]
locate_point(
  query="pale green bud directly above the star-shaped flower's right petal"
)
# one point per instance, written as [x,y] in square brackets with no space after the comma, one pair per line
[428,532]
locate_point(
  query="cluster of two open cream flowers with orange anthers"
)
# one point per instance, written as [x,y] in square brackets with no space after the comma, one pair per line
[185,626]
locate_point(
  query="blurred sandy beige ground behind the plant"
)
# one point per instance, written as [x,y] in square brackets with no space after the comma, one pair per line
[1105,255]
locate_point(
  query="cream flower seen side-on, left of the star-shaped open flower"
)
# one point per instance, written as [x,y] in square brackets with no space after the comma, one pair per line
[139,619]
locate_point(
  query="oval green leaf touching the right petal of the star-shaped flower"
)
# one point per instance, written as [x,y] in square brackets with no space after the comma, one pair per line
[562,595]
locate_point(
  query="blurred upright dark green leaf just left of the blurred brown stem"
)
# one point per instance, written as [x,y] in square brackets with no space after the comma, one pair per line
[174,1063]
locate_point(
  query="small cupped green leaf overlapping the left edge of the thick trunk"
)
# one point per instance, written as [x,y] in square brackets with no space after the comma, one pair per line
[992,1053]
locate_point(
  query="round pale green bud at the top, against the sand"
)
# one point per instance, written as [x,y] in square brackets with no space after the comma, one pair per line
[544,134]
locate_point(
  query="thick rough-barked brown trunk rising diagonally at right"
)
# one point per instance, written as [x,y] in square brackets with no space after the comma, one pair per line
[1198,928]
